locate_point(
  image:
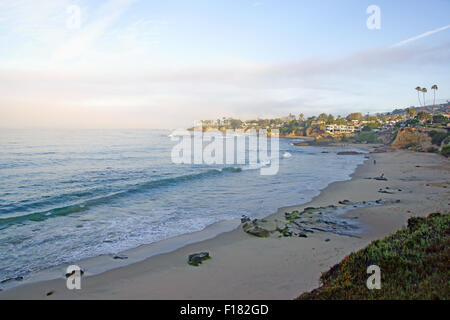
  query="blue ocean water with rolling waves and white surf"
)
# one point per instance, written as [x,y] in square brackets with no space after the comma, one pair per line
[67,195]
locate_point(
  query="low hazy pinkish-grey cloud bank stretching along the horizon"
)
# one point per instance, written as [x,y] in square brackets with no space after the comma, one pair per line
[168,97]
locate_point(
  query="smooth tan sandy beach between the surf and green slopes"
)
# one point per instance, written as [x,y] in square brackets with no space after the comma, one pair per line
[247,267]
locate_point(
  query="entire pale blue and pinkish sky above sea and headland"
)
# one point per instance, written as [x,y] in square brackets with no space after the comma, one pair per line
[165,64]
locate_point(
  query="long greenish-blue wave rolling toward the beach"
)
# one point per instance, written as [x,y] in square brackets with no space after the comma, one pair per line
[85,205]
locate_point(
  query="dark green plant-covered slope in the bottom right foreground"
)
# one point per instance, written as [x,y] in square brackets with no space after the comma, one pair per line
[413,262]
